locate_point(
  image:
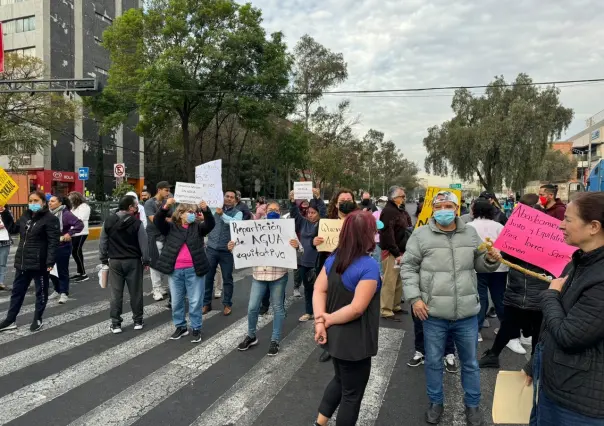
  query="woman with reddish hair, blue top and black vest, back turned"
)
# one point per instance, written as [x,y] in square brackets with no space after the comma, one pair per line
[346,303]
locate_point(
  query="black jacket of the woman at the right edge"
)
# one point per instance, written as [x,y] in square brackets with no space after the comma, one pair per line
[573,337]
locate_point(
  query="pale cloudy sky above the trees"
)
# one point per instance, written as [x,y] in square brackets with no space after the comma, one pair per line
[394,44]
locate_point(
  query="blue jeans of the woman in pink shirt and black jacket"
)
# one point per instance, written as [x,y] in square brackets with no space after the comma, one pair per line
[184,282]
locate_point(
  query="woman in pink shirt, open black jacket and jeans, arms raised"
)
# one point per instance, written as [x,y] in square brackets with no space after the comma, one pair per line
[183,259]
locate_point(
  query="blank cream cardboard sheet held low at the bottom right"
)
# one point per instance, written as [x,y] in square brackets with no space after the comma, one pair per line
[513,400]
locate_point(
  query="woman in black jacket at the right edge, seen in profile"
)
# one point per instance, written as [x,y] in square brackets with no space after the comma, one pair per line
[568,364]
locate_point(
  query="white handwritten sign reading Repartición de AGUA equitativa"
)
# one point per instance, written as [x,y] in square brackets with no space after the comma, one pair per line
[264,243]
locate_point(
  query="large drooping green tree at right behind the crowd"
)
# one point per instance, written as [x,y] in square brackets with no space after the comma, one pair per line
[498,137]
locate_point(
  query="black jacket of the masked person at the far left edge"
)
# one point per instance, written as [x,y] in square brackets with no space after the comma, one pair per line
[39,239]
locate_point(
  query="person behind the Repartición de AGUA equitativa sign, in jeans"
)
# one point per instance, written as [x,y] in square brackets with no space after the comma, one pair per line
[275,280]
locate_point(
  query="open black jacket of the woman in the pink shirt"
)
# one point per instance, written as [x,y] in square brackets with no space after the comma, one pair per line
[176,236]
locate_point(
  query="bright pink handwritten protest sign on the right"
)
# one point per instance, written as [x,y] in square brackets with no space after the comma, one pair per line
[534,237]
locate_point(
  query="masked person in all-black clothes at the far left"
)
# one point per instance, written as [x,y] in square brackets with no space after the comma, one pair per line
[35,257]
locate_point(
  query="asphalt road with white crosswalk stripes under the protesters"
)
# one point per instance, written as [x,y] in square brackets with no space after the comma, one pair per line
[74,372]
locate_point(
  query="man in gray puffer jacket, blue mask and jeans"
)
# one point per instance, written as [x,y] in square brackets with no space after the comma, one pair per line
[439,280]
